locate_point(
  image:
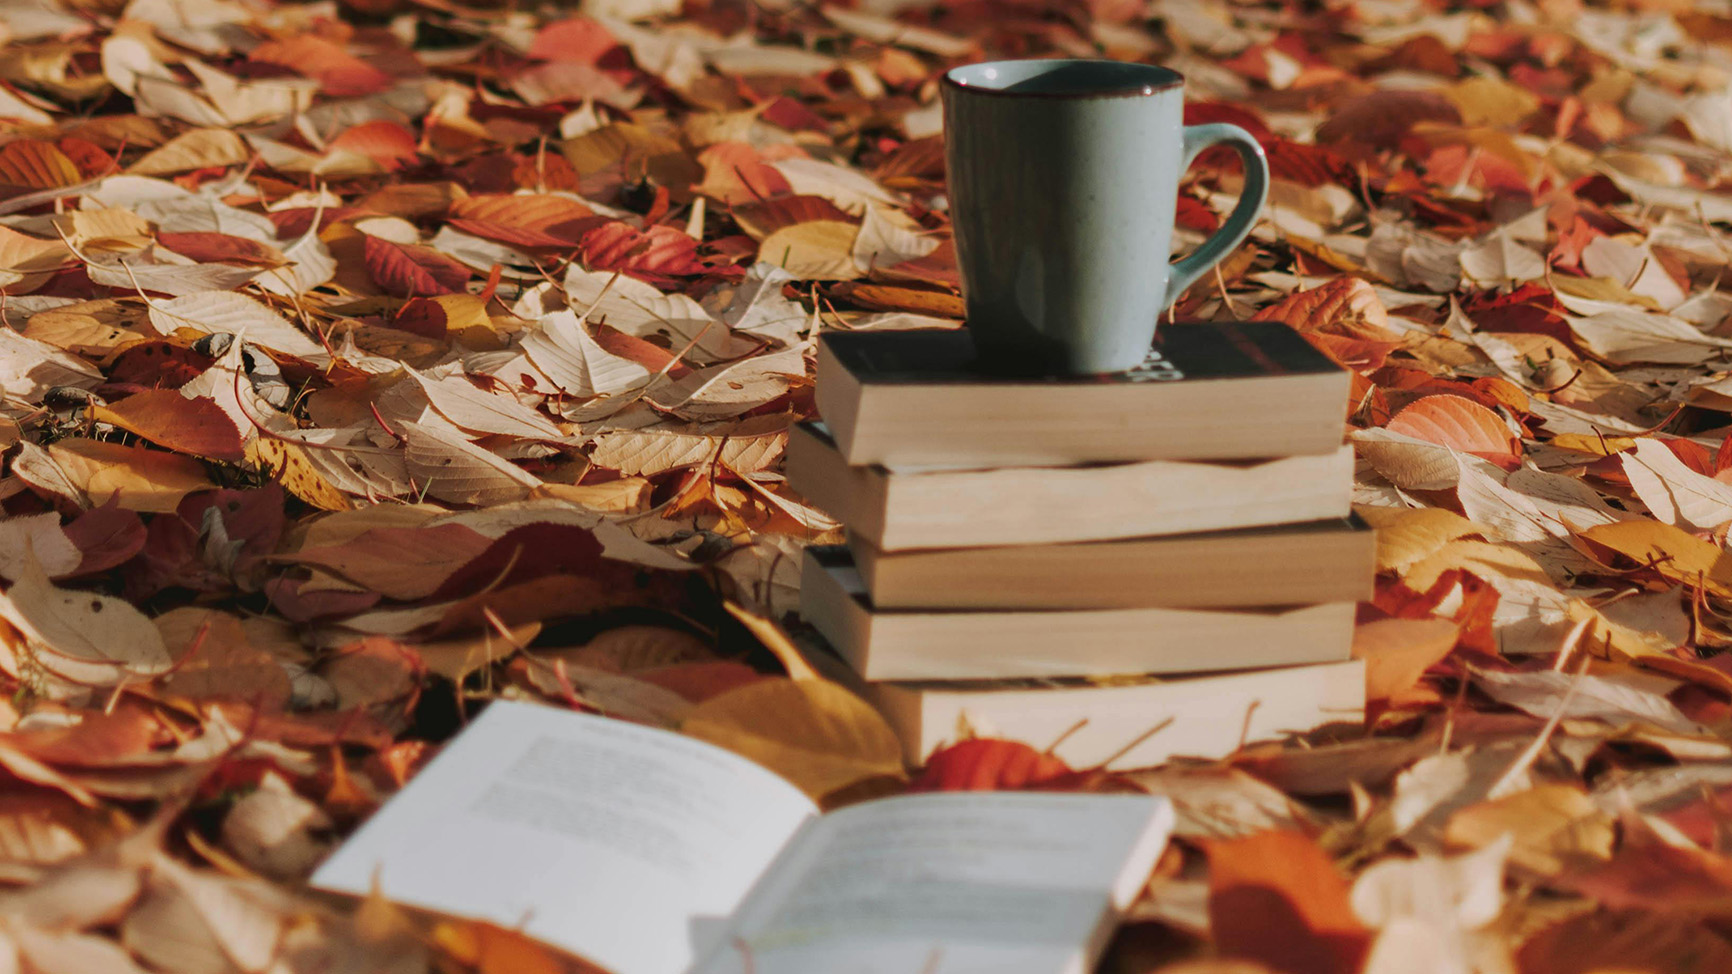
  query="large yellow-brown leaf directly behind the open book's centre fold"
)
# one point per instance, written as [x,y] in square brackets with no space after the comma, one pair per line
[811,732]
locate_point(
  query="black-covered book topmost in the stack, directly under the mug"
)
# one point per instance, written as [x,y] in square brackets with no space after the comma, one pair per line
[1220,391]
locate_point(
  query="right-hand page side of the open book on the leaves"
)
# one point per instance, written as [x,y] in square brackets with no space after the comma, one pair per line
[948,885]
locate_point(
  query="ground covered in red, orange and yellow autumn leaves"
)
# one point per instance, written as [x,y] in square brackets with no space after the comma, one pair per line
[368,361]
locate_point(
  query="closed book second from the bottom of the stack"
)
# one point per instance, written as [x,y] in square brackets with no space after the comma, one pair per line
[1016,644]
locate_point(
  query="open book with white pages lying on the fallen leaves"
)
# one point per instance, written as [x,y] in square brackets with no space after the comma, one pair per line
[654,854]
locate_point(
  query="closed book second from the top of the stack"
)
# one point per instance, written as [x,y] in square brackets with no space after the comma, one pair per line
[895,509]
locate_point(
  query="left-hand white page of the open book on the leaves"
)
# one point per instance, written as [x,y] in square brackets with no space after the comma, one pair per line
[624,845]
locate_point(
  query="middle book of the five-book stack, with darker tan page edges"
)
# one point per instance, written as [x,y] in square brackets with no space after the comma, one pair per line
[1303,564]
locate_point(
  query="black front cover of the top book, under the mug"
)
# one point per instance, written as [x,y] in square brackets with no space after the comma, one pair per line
[1206,351]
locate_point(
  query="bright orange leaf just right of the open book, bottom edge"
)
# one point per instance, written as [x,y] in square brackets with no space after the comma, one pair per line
[1277,899]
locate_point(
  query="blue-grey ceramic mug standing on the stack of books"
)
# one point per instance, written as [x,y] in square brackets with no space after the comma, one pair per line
[1063,186]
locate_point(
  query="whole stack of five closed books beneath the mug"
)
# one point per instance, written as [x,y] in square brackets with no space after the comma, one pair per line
[1118,569]
